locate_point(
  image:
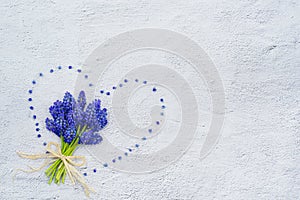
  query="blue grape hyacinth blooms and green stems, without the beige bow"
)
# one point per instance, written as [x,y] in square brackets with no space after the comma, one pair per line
[75,123]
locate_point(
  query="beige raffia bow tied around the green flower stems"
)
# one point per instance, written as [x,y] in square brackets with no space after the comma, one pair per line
[68,161]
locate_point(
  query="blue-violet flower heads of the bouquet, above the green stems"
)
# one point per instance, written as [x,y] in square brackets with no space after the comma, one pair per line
[73,119]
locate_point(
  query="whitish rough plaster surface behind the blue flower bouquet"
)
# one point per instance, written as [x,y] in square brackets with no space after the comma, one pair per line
[253,46]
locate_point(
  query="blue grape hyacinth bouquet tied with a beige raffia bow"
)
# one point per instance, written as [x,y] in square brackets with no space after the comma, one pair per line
[76,124]
